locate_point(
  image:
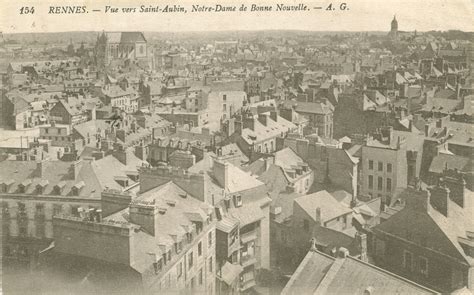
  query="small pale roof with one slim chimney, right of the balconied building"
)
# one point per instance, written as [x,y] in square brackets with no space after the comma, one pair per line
[330,207]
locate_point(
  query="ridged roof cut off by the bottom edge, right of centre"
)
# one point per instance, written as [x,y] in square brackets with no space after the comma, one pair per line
[319,273]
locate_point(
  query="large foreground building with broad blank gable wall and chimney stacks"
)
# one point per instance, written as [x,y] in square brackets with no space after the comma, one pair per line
[161,239]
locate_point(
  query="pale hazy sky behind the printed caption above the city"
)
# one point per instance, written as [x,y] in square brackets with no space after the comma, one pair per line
[362,15]
